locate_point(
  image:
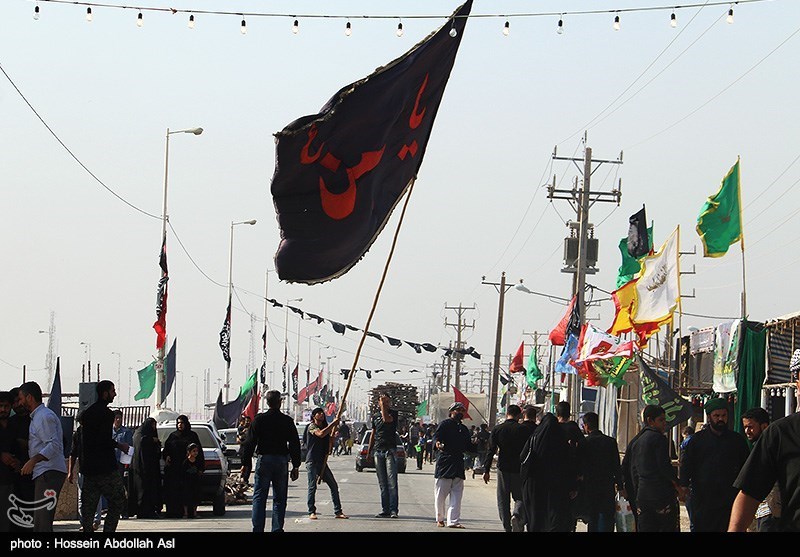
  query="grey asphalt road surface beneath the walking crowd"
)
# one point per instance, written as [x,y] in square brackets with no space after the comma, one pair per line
[360,500]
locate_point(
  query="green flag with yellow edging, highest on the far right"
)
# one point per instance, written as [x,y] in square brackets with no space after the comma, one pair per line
[720,222]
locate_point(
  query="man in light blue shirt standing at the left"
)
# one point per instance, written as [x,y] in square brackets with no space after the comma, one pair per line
[46,464]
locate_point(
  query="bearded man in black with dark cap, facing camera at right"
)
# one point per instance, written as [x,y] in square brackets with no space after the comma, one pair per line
[709,466]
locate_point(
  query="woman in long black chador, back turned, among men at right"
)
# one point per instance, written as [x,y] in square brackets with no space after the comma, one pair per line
[548,476]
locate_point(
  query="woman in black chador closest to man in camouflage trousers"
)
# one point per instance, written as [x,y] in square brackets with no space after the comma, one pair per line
[146,470]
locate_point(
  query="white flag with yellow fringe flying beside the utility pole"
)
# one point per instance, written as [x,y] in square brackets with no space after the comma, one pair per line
[658,288]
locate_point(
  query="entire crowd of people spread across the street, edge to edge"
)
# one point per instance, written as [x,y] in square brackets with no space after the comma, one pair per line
[551,472]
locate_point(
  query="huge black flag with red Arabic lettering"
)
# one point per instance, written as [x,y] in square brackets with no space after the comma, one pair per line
[340,173]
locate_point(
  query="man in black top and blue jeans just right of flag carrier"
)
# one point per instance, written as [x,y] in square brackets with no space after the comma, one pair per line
[384,441]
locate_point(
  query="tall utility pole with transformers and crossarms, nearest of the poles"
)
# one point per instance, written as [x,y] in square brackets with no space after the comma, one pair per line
[587,247]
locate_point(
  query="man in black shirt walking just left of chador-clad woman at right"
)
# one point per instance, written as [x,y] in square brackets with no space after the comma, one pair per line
[508,437]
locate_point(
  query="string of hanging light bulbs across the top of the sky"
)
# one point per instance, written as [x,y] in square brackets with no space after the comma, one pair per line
[295,18]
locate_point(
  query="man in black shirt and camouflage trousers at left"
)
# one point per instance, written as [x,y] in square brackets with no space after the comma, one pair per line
[99,460]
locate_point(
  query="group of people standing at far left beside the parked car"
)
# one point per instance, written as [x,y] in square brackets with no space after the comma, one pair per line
[117,469]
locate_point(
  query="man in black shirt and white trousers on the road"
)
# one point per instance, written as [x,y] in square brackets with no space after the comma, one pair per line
[453,440]
